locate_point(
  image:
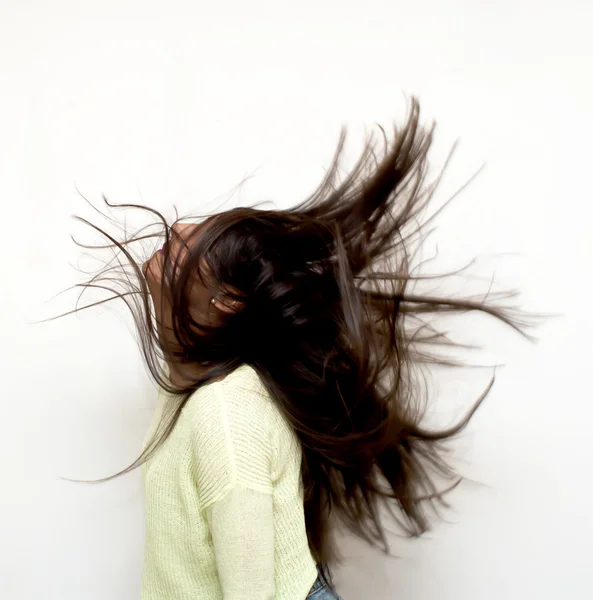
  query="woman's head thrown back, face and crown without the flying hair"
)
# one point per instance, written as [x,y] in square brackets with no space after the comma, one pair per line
[248,286]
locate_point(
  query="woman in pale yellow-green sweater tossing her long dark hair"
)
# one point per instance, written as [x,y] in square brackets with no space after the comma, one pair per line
[285,344]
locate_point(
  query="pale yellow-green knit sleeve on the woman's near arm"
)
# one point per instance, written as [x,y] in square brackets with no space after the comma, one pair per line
[232,454]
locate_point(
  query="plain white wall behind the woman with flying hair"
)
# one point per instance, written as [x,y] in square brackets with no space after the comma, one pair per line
[177,102]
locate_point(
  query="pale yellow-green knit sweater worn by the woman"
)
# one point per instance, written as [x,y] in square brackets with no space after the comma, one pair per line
[224,505]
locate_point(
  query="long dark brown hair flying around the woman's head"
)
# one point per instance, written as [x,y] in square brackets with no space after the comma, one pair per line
[332,323]
